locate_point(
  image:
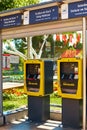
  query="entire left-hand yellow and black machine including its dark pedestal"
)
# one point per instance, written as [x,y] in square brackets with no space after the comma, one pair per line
[38,84]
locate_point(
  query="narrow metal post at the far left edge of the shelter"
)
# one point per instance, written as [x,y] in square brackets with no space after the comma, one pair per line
[1,104]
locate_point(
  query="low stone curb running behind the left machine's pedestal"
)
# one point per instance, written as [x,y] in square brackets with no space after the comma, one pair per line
[22,113]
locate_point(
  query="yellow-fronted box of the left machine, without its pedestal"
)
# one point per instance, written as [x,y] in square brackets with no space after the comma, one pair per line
[38,77]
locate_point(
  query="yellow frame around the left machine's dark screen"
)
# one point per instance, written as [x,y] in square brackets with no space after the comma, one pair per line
[41,89]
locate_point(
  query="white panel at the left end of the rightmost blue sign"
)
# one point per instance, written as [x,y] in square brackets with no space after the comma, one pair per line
[64,11]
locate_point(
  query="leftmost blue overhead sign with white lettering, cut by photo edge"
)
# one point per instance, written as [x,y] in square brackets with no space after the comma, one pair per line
[10,21]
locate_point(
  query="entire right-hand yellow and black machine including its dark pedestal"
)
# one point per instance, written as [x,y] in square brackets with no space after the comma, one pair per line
[70,89]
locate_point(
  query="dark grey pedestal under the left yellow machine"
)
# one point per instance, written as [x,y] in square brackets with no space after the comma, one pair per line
[39,108]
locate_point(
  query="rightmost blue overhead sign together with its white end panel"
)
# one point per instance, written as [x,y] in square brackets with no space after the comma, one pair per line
[74,10]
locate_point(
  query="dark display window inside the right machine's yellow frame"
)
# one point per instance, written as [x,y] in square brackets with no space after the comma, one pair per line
[69,76]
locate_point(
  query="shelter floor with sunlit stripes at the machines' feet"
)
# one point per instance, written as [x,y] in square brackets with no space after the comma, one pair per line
[27,125]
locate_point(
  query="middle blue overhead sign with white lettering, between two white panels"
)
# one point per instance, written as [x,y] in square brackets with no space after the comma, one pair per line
[43,15]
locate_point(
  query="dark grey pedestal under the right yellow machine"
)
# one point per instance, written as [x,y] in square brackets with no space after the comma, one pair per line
[71,115]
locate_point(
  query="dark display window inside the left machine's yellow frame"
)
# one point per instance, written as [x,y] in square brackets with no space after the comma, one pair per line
[33,77]
